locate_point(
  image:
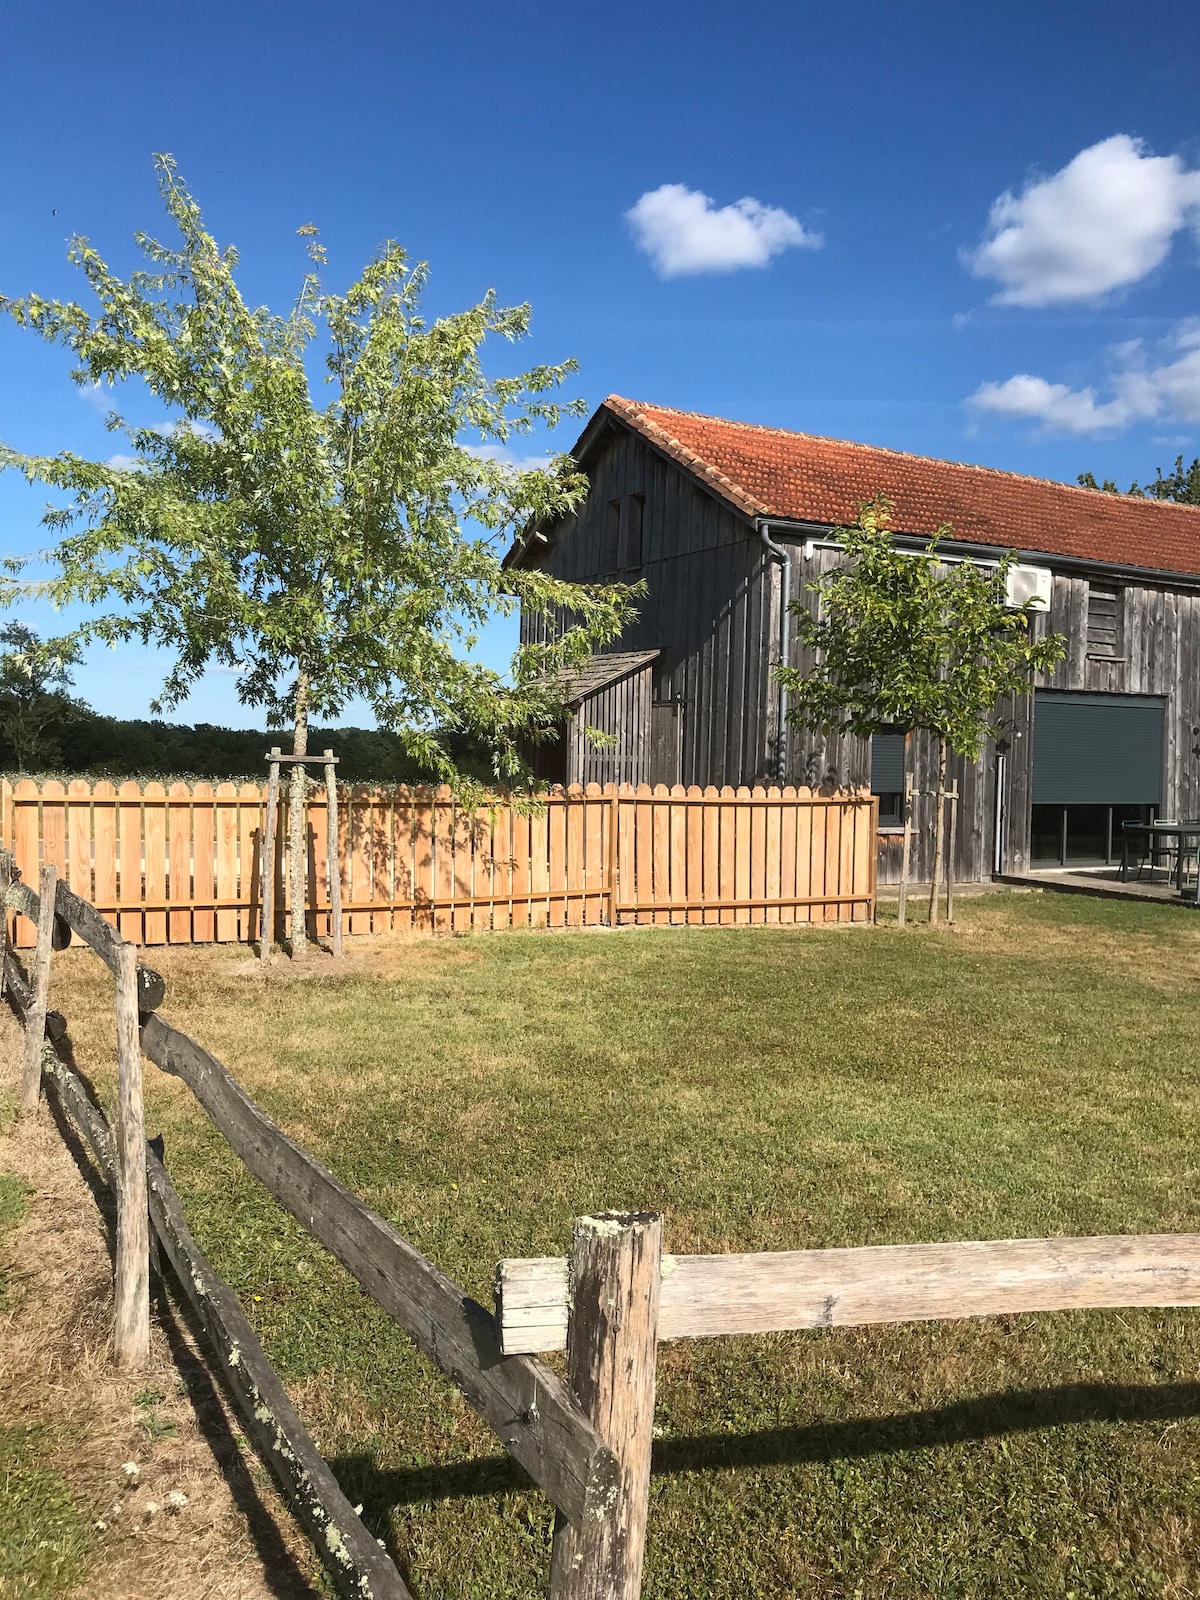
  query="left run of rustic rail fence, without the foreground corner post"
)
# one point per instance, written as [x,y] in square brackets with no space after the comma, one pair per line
[537,1415]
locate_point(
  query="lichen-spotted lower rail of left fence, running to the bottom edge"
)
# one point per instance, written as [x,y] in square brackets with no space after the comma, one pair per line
[356,1562]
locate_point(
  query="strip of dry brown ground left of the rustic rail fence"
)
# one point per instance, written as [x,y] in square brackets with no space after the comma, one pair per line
[172,1500]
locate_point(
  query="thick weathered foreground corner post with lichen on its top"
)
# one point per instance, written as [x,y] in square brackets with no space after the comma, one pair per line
[612,1354]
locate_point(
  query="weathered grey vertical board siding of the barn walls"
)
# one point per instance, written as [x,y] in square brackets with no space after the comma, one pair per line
[714,606]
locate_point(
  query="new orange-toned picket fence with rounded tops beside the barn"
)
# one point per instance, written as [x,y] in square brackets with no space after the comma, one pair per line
[183,865]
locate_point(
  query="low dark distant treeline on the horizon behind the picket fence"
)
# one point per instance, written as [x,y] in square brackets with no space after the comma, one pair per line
[113,748]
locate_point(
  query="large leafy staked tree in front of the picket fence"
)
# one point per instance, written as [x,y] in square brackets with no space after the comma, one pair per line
[321,551]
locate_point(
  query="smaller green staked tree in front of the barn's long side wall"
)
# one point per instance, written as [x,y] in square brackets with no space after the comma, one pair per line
[903,641]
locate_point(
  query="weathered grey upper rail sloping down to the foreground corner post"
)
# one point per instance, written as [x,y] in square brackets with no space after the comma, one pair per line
[532,1409]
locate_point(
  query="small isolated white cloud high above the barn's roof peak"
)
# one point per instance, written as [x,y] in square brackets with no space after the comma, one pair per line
[684,233]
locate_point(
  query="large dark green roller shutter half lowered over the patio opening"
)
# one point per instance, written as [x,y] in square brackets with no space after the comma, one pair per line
[1098,750]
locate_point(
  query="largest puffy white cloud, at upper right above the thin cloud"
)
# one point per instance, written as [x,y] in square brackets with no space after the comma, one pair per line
[1103,222]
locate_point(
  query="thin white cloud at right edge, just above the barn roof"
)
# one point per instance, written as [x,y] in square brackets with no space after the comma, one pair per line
[1143,388]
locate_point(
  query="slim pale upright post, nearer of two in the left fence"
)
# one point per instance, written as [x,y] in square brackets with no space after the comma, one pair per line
[132,1313]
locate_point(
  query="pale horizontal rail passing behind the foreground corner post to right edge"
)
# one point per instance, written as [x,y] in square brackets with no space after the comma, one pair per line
[705,1297]
